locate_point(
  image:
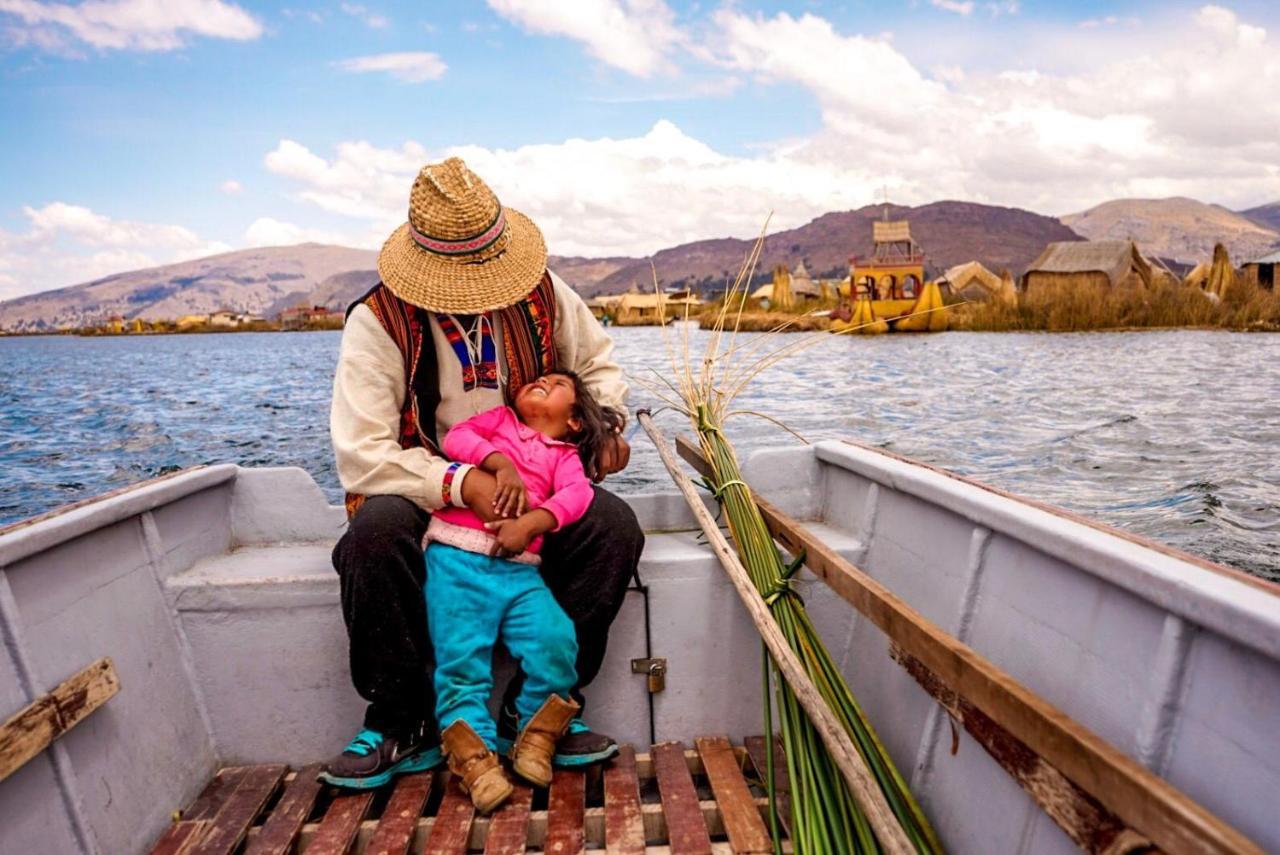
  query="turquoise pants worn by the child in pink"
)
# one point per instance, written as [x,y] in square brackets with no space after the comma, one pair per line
[472,602]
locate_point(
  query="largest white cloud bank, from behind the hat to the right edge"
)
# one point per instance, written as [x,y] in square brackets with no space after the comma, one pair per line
[1164,117]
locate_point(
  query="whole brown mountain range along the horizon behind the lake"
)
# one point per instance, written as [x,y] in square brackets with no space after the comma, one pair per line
[267,281]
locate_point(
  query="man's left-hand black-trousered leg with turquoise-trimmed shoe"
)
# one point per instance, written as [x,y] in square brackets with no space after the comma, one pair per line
[381,573]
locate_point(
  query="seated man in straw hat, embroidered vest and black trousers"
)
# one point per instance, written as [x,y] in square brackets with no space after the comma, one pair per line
[467,313]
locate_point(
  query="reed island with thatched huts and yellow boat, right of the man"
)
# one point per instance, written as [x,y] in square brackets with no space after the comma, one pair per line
[1072,286]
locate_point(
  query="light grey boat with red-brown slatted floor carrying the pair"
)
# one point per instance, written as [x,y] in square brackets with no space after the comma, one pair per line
[175,664]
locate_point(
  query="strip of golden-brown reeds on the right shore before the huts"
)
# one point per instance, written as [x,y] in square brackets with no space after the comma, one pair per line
[1246,307]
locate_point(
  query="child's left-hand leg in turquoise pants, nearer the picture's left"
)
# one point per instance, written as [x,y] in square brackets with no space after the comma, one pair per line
[465,602]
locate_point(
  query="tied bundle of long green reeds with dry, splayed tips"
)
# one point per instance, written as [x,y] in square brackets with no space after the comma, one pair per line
[826,819]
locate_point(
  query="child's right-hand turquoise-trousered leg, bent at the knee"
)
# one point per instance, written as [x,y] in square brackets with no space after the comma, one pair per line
[542,639]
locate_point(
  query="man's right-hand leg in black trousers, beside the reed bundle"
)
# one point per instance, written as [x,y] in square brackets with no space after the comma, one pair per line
[588,568]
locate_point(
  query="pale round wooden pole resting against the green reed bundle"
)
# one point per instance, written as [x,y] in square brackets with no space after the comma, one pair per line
[865,788]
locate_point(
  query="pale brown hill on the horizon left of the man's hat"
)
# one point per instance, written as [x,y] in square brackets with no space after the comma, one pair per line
[249,281]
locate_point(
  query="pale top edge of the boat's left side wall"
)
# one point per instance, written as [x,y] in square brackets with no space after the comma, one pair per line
[30,537]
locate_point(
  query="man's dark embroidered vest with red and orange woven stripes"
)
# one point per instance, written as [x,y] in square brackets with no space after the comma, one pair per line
[528,344]
